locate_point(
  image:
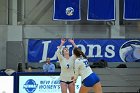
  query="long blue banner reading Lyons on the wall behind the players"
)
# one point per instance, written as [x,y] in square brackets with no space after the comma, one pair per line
[111,50]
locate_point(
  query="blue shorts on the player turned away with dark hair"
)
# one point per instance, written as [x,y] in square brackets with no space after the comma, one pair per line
[91,80]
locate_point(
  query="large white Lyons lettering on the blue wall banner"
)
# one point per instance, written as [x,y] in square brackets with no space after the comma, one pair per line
[109,50]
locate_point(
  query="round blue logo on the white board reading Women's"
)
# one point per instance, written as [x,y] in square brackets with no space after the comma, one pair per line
[30,86]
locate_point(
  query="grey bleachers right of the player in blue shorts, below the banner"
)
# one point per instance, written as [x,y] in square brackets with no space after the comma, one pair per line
[118,80]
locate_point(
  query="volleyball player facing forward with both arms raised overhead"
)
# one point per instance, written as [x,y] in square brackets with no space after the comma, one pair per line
[67,65]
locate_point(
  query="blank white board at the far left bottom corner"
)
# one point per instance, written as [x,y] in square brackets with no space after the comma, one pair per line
[6,84]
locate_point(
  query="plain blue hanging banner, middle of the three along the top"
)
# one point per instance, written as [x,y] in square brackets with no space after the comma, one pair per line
[101,10]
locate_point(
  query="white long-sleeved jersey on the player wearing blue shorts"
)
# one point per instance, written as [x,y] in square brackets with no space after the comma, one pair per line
[82,68]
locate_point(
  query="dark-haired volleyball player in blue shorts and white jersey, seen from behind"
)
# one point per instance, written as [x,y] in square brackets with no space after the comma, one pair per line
[89,78]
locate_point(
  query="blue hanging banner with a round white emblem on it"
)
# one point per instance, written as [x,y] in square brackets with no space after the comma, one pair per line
[68,10]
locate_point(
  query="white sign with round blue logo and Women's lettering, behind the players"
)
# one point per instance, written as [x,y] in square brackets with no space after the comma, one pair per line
[43,84]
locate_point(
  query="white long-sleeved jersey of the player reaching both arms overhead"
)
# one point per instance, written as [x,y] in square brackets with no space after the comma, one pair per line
[67,66]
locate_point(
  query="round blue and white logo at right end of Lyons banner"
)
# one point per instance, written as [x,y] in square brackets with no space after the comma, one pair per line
[130,51]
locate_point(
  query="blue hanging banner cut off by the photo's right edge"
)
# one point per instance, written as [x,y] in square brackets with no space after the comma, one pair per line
[131,10]
